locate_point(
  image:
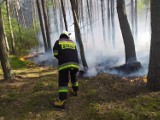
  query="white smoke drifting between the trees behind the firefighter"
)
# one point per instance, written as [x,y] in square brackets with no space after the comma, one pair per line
[104,54]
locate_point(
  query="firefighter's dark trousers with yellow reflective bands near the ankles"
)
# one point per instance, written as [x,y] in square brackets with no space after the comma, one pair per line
[64,76]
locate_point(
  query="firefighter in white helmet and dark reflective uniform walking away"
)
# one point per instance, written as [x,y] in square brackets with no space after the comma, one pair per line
[66,52]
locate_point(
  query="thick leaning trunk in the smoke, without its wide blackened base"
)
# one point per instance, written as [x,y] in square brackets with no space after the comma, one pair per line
[130,53]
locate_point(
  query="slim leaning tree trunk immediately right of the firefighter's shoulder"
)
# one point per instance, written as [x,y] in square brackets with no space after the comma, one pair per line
[78,34]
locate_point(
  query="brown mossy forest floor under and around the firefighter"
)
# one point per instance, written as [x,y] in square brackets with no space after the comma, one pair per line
[104,97]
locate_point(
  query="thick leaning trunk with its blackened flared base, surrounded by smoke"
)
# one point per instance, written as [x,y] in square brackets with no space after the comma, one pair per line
[131,64]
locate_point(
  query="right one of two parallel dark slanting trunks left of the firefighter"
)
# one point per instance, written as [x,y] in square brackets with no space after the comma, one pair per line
[46,25]
